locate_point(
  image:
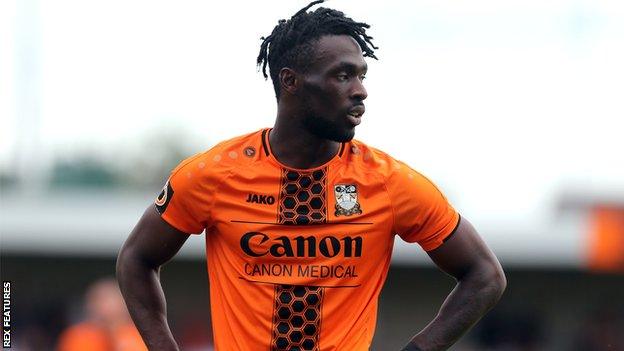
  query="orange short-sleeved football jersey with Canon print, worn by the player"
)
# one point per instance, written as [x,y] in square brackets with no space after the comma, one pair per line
[297,257]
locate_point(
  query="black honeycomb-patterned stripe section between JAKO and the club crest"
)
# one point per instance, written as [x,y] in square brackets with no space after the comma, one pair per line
[303,197]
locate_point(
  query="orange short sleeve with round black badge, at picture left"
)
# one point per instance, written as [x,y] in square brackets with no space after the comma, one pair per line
[185,198]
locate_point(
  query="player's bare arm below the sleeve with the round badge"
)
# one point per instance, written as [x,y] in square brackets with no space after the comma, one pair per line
[152,243]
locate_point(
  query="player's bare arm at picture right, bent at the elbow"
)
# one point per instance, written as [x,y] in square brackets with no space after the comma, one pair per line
[480,284]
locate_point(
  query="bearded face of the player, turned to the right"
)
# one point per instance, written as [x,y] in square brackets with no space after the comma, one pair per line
[332,93]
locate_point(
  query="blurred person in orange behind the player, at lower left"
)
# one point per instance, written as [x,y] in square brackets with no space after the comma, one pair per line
[107,326]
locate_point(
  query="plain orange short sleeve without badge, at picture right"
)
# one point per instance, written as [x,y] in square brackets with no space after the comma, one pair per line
[421,212]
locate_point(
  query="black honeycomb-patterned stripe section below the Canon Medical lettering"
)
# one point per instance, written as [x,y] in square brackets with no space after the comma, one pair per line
[297,318]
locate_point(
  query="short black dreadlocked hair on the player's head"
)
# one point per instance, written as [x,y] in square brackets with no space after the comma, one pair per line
[292,41]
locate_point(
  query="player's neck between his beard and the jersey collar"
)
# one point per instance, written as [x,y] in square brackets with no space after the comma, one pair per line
[294,146]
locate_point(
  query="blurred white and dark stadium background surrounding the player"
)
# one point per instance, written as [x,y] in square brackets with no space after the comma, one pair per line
[513,108]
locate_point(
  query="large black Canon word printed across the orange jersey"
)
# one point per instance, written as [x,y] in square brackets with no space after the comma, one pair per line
[300,246]
